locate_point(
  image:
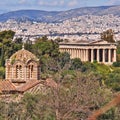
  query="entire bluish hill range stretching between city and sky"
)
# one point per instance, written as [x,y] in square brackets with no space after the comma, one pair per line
[55,16]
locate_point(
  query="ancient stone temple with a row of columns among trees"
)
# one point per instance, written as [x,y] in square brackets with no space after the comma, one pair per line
[100,51]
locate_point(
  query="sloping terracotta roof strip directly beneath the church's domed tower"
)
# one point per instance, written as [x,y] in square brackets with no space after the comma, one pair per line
[28,85]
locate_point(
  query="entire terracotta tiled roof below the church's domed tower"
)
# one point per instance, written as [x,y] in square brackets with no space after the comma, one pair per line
[8,86]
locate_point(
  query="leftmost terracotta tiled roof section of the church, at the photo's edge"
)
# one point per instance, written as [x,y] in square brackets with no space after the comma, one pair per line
[7,86]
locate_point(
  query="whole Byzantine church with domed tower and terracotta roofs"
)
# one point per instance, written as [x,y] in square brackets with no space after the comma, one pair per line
[23,74]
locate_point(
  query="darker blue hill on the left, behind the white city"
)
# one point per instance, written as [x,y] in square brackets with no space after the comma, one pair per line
[30,15]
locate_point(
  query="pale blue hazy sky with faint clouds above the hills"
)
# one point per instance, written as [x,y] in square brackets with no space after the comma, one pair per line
[52,5]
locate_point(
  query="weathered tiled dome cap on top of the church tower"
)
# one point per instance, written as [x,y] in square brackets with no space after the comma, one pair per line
[23,56]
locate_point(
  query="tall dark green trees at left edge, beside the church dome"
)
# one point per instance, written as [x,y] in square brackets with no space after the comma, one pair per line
[7,46]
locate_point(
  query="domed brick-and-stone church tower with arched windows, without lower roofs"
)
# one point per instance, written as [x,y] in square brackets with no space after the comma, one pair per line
[22,67]
